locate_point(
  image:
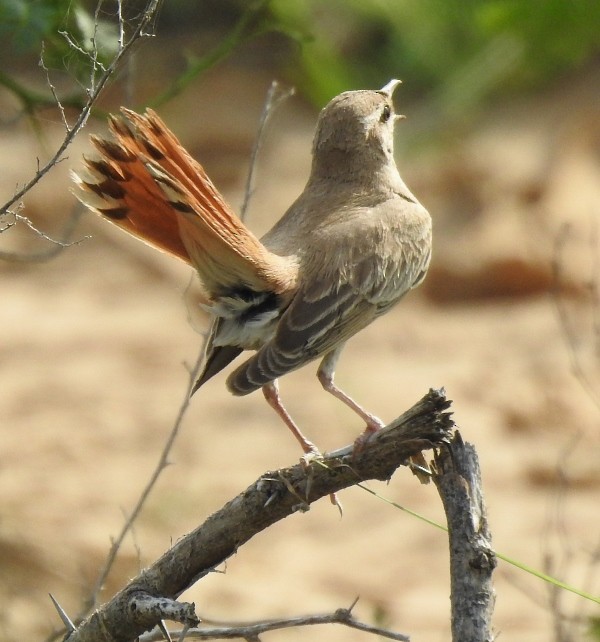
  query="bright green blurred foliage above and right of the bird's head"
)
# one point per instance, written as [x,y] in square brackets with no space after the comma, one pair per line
[463,50]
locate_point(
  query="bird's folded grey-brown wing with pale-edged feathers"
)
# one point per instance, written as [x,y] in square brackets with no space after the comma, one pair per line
[338,302]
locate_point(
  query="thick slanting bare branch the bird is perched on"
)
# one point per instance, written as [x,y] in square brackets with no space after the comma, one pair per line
[274,496]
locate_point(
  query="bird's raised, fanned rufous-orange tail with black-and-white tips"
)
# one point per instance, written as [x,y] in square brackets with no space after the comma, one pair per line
[146,183]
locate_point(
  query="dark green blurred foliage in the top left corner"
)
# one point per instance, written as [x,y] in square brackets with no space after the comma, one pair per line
[79,39]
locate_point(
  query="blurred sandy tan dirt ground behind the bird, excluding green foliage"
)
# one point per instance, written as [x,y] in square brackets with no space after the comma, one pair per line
[95,342]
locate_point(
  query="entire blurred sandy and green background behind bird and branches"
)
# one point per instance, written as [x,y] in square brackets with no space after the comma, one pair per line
[501,144]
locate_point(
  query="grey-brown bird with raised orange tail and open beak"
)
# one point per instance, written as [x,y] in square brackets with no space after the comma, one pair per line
[351,245]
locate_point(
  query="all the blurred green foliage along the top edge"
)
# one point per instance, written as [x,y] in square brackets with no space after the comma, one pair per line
[457,53]
